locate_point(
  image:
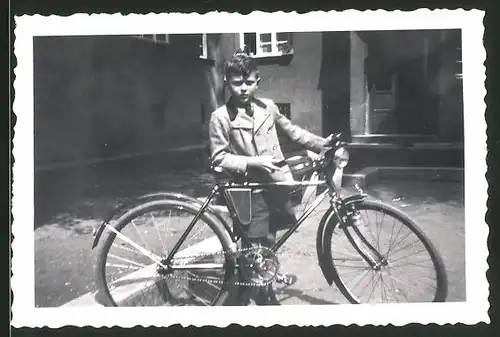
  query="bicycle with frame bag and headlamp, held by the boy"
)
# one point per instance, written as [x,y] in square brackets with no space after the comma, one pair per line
[209,269]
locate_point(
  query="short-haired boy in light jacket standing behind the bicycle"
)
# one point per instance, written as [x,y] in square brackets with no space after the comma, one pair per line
[244,142]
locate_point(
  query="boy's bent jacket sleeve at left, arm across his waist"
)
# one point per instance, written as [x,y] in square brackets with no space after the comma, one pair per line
[220,154]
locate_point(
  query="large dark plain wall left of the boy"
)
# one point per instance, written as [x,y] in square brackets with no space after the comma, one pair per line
[101,97]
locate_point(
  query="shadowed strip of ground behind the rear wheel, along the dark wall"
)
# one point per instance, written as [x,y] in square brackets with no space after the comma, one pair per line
[74,198]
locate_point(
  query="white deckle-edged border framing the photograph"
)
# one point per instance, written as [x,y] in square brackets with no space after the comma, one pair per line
[474,310]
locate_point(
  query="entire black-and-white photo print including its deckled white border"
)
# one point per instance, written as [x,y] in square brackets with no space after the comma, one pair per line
[285,167]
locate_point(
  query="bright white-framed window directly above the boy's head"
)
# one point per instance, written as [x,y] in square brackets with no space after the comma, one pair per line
[266,44]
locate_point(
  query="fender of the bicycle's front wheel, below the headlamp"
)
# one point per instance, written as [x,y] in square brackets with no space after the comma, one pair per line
[327,221]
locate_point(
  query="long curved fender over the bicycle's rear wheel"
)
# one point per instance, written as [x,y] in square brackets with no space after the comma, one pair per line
[152,197]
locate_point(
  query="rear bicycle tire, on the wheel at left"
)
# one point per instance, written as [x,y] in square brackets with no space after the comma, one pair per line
[125,219]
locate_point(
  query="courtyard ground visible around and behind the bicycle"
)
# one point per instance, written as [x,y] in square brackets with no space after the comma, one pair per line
[67,209]
